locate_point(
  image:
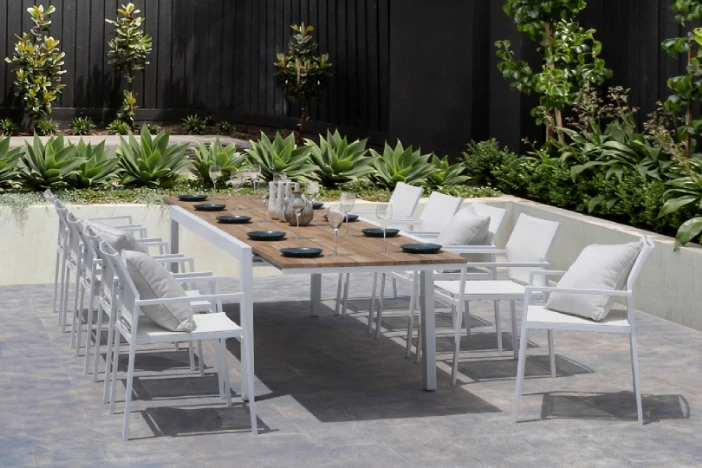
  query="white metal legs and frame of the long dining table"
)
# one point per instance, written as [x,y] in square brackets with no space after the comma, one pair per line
[244,254]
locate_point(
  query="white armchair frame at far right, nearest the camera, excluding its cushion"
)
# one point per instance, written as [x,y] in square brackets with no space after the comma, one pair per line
[538,317]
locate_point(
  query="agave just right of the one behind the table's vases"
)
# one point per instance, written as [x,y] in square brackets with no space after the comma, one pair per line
[337,161]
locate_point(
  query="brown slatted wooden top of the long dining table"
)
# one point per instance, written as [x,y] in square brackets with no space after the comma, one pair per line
[358,250]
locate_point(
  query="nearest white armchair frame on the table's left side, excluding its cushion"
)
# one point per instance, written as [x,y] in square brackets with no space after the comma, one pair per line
[137,330]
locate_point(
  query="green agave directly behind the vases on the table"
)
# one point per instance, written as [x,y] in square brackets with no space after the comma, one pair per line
[281,155]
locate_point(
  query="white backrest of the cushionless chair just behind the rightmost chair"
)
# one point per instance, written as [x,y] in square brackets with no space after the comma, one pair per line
[530,241]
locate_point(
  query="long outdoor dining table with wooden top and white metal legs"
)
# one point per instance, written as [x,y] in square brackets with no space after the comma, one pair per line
[360,255]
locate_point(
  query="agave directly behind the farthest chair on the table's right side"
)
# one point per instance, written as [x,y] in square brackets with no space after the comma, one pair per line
[401,164]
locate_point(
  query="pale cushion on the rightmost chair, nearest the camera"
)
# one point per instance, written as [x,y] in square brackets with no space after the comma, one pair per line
[597,267]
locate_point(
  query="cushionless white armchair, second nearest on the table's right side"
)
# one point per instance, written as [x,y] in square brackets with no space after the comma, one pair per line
[527,249]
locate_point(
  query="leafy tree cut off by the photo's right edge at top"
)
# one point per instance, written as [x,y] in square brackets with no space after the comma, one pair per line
[687,88]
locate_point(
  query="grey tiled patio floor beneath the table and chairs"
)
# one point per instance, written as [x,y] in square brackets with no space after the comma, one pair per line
[328,394]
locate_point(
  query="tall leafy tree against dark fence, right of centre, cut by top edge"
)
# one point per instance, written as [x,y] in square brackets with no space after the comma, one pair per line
[570,57]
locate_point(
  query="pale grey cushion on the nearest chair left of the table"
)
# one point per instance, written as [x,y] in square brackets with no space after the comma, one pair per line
[153,281]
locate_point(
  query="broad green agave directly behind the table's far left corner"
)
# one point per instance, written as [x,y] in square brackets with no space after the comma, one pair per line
[151,161]
